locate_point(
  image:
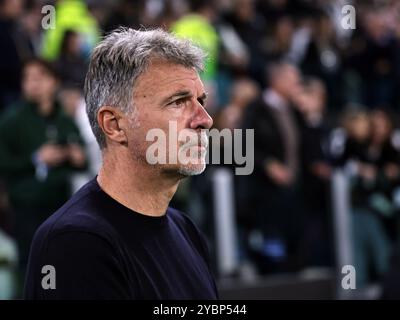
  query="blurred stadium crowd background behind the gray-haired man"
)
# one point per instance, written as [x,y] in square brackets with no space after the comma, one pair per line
[324,101]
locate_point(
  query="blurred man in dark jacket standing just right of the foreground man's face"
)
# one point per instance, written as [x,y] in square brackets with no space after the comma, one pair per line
[276,153]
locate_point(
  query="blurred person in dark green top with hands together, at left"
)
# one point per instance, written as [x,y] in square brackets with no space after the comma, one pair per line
[39,148]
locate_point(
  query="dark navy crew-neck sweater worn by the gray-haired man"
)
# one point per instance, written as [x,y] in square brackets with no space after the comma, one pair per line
[103,250]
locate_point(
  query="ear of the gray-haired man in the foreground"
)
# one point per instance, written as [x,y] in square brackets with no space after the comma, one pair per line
[110,121]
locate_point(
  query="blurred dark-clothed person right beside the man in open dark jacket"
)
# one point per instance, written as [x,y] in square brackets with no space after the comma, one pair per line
[316,173]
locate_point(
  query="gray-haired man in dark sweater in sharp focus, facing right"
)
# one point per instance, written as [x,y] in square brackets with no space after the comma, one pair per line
[117,238]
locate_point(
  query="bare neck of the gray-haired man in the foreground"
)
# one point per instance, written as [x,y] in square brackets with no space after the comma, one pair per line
[137,186]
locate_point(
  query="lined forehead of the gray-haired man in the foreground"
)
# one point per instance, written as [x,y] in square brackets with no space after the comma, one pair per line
[162,77]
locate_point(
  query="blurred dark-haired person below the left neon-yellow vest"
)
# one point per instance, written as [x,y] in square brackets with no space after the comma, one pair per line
[71,65]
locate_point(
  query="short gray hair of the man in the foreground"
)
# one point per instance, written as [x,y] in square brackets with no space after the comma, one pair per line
[119,59]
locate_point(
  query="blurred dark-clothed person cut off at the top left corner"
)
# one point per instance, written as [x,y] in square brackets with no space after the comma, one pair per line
[15,48]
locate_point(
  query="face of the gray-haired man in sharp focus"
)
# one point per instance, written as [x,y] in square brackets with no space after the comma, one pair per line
[170,98]
